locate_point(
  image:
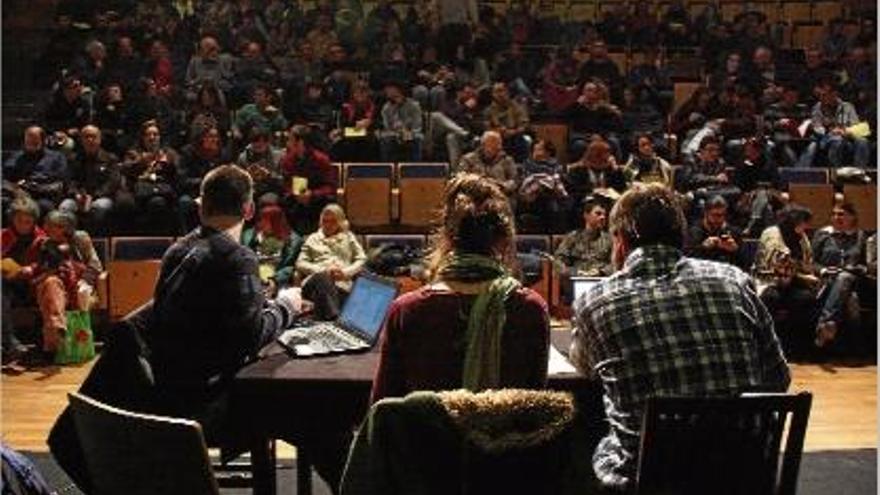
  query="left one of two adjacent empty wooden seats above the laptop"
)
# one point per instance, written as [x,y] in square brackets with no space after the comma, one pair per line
[368,193]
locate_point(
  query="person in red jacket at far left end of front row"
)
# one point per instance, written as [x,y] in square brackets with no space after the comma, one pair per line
[20,244]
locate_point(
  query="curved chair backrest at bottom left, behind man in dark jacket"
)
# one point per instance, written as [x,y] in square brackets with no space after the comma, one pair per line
[132,453]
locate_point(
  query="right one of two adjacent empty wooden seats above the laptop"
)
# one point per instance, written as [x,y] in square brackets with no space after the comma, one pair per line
[420,188]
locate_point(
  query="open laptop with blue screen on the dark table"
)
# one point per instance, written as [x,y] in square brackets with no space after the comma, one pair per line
[357,327]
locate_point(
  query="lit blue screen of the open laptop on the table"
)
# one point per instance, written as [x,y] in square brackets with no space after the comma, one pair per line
[366,306]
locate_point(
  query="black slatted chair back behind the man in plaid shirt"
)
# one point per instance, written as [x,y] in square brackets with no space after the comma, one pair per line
[723,446]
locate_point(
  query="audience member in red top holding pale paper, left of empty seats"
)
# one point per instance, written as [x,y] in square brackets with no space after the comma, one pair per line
[310,181]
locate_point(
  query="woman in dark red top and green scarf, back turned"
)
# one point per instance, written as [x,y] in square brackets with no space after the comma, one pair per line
[474,326]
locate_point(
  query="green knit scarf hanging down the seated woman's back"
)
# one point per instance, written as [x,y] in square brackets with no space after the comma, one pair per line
[482,361]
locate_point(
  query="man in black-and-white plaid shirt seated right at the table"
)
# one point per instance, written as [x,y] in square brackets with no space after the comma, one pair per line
[664,325]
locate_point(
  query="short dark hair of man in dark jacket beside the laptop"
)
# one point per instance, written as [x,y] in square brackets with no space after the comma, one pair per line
[226,190]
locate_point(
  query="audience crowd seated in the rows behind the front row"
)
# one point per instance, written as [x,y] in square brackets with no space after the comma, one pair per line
[146,99]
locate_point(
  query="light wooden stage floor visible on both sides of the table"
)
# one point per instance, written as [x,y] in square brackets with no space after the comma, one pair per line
[844,414]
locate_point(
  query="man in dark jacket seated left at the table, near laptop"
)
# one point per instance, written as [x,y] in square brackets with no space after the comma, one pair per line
[210,316]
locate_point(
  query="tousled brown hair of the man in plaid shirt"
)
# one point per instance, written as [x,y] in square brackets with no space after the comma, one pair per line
[649,215]
